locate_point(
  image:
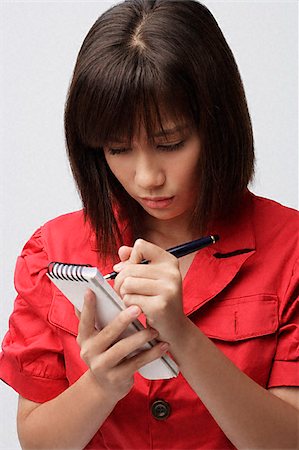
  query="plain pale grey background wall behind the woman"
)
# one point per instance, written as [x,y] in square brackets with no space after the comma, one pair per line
[39,44]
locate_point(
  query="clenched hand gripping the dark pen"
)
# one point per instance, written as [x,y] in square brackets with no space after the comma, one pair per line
[155,287]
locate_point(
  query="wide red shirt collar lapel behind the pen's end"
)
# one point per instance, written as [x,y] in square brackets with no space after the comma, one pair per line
[215,267]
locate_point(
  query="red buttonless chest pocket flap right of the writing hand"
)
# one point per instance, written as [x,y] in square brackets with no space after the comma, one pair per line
[236,319]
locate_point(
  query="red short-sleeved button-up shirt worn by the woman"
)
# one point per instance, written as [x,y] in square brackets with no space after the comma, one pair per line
[242,293]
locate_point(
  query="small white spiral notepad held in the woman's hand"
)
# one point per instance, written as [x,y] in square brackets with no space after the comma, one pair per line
[73,280]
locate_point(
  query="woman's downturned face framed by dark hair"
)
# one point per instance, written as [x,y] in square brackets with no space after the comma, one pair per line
[162,175]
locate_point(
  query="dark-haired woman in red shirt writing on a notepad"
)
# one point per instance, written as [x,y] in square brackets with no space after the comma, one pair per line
[160,144]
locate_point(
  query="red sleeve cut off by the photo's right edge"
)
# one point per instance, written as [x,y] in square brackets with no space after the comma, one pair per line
[285,370]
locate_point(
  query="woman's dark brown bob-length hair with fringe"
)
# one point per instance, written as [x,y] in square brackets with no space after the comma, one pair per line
[140,59]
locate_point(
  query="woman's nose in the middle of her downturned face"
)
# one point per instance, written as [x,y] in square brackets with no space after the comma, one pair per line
[149,174]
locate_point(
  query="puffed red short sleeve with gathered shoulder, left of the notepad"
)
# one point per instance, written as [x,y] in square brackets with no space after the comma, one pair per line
[32,360]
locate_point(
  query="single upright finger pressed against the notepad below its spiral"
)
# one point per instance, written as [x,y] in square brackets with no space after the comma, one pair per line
[88,314]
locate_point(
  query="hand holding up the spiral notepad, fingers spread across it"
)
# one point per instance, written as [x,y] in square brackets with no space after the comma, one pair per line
[105,357]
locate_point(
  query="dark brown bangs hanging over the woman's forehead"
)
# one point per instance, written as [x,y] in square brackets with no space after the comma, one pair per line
[116,102]
